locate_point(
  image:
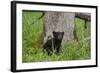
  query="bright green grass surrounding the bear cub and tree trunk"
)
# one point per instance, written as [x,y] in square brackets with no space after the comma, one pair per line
[32,40]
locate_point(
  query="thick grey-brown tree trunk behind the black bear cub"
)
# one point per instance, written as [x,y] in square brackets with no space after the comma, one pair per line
[59,22]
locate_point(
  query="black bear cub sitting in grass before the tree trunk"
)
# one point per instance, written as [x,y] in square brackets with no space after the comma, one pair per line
[53,44]
